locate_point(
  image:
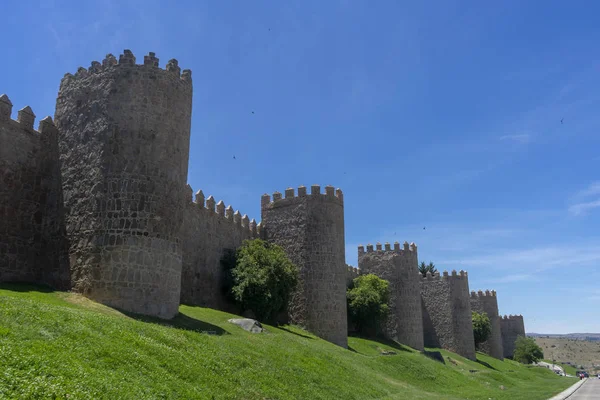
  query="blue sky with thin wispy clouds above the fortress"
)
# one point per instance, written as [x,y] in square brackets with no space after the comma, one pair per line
[444,115]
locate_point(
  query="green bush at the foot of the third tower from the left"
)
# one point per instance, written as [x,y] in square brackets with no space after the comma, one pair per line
[368,303]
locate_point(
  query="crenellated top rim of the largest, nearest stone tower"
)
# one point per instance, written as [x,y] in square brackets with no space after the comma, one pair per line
[127,60]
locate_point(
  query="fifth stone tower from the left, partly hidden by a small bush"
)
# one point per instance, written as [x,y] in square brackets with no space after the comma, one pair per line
[487,302]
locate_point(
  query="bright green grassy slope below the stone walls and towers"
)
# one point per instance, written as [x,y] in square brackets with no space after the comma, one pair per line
[61,345]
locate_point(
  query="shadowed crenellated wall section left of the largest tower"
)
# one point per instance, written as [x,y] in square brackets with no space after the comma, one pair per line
[31,227]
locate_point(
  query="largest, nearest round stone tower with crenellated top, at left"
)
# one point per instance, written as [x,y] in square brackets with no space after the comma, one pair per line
[124,133]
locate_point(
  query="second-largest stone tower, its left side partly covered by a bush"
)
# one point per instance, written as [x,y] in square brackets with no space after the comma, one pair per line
[310,227]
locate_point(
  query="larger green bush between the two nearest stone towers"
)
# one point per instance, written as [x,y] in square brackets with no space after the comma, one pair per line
[263,279]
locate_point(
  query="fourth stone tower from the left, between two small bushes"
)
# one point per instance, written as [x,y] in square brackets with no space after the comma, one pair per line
[447,319]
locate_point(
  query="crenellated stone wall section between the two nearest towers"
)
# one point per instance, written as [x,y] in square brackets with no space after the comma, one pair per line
[209,231]
